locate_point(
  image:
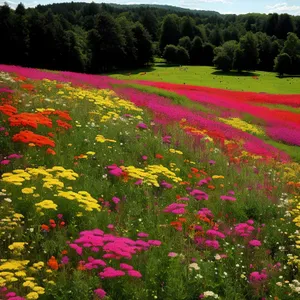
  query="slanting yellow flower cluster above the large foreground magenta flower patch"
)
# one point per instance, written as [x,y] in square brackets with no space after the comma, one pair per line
[84,198]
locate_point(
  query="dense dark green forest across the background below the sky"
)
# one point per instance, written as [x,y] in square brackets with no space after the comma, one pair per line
[98,38]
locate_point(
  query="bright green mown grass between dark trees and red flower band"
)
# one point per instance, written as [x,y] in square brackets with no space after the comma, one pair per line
[258,81]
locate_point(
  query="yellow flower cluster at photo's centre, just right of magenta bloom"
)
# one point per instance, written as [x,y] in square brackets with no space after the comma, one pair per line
[150,174]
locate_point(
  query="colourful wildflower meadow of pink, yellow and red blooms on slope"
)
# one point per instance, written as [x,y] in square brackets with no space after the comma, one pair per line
[139,190]
